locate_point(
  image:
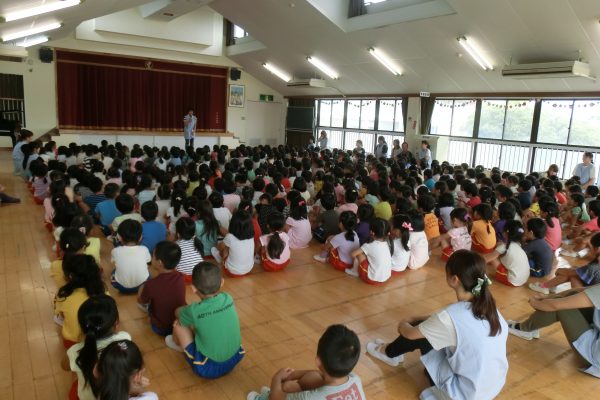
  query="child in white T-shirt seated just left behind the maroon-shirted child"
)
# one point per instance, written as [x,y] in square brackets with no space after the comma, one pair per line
[131,259]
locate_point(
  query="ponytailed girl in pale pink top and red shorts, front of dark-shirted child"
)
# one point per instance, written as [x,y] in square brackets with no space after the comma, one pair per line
[275,247]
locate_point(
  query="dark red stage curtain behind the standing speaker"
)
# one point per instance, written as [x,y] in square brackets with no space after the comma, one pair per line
[122,93]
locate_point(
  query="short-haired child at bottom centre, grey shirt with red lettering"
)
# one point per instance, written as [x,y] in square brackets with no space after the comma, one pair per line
[338,352]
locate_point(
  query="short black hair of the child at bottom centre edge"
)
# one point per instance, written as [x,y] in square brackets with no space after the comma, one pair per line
[338,350]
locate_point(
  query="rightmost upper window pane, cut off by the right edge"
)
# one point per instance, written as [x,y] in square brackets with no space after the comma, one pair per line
[585,128]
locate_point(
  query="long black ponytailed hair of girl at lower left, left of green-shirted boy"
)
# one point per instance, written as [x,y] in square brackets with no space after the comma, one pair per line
[97,318]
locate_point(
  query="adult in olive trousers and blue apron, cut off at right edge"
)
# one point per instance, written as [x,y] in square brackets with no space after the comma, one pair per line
[578,312]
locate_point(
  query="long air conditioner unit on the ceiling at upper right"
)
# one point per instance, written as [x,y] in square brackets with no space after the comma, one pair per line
[560,69]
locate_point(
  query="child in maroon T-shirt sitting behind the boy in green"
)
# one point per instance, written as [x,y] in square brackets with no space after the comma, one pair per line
[162,295]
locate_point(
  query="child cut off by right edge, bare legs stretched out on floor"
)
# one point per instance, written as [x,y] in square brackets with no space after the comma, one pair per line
[587,275]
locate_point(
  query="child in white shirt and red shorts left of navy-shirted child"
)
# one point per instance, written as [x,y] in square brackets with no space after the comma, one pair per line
[512,266]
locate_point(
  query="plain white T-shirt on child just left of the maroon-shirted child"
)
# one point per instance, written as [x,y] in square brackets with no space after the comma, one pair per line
[131,265]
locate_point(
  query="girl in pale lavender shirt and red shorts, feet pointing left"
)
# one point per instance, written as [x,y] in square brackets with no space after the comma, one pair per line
[338,249]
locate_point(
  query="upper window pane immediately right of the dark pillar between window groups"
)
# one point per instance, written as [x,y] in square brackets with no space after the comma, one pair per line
[453,118]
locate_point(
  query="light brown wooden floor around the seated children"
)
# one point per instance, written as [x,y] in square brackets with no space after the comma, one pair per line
[282,317]
